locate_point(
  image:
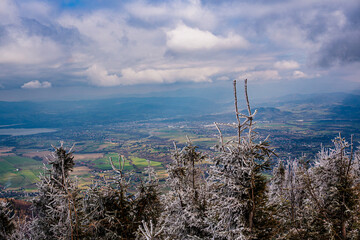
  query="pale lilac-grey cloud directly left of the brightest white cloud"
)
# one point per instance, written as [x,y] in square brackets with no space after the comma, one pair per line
[108,39]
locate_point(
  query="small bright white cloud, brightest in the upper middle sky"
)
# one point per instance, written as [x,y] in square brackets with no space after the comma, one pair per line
[184,38]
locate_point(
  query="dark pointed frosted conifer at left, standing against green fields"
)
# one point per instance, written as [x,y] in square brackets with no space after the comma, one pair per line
[56,206]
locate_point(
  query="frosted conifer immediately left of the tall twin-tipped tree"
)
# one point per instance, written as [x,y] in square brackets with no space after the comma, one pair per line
[185,207]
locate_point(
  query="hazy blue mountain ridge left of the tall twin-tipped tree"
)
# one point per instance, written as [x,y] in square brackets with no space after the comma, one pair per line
[90,112]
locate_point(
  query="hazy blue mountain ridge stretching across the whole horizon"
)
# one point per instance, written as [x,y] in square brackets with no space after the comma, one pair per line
[92,112]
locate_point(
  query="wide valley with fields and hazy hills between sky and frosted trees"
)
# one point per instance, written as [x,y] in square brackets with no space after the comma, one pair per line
[294,131]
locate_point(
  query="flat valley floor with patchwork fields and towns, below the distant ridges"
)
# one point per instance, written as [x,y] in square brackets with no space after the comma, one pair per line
[155,143]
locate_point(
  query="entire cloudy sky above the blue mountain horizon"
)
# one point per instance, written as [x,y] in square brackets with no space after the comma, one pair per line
[94,48]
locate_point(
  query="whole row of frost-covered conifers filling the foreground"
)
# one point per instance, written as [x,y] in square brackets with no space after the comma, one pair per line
[241,191]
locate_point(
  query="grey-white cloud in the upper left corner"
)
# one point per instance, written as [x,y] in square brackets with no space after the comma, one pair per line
[25,40]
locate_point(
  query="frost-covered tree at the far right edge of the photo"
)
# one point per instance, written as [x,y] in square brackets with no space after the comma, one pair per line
[332,188]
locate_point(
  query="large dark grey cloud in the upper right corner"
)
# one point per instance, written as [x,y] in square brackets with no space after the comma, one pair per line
[326,34]
